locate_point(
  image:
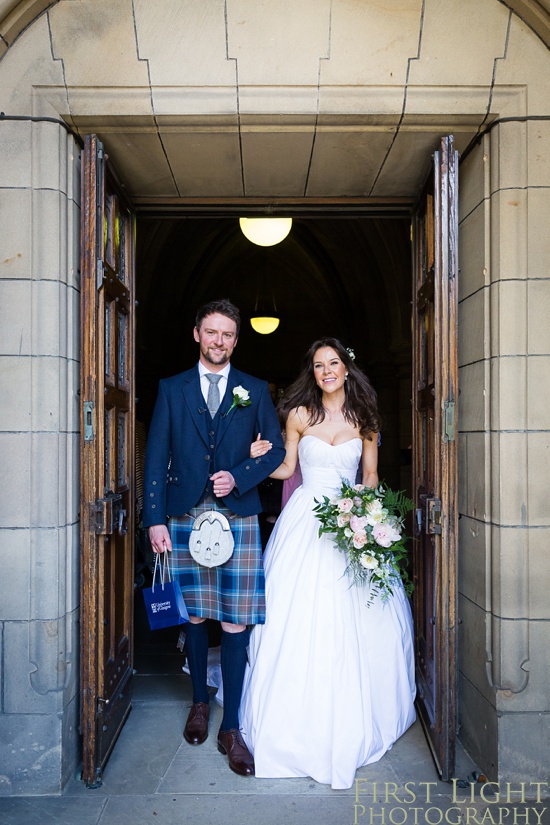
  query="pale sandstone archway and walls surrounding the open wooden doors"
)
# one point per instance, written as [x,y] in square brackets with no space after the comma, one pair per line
[359,119]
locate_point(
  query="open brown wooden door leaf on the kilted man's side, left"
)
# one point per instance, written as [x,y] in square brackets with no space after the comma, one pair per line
[107,458]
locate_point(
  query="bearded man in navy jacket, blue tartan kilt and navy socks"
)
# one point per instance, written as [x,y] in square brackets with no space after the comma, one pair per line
[198,460]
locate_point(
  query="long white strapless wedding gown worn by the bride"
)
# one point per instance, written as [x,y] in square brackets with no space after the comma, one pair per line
[330,686]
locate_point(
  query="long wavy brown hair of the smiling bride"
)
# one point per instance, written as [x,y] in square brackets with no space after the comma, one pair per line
[360,406]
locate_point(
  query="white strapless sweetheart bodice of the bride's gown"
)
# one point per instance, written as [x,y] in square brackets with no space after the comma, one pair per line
[324,465]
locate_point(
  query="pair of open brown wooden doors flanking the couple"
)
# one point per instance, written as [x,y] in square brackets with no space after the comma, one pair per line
[107,456]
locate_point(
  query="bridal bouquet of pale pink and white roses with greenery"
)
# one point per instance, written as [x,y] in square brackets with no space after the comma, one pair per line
[367,524]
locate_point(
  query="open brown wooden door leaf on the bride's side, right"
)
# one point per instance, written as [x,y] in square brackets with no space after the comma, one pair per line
[435,388]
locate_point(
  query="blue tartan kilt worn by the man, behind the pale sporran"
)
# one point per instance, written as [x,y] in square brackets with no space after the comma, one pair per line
[234,592]
